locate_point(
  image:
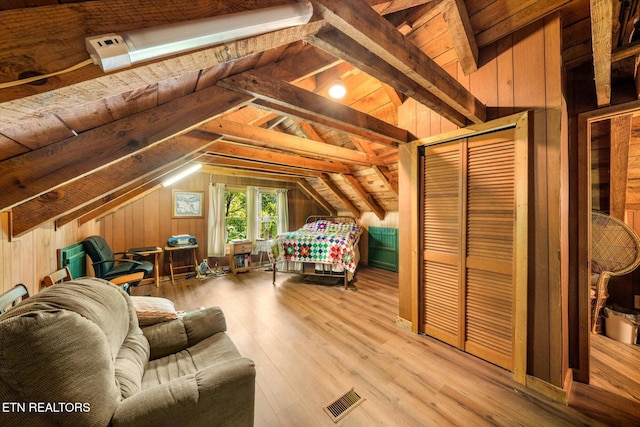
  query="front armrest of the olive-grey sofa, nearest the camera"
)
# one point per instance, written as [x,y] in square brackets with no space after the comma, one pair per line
[221,394]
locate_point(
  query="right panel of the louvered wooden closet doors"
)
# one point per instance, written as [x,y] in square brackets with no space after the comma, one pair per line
[490,248]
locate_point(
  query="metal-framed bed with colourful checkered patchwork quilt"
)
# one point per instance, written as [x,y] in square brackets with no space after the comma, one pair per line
[324,246]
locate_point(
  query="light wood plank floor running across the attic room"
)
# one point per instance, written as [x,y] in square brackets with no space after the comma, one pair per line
[312,342]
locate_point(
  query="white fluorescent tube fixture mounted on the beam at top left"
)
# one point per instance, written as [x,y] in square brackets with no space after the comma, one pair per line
[115,51]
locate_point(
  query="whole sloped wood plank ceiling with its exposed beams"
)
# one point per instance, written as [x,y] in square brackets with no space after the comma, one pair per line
[78,144]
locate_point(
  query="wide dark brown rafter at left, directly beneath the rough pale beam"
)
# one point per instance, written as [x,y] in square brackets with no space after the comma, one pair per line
[36,172]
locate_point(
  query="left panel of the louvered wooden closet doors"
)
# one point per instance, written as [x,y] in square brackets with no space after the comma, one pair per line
[442,187]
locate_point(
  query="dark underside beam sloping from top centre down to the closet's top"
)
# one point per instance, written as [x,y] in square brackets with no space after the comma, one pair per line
[360,57]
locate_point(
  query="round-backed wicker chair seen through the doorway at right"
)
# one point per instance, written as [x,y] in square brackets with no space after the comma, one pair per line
[615,250]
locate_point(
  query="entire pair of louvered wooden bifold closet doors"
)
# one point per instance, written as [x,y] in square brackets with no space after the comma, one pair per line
[469,243]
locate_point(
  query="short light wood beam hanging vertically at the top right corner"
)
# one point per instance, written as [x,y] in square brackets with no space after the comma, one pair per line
[601,39]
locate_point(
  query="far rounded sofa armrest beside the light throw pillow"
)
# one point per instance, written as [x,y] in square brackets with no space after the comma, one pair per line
[189,329]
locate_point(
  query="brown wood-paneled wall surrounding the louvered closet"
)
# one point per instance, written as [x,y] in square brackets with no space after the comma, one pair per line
[518,73]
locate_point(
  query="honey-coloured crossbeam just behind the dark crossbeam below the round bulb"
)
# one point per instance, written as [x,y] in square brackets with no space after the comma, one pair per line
[261,137]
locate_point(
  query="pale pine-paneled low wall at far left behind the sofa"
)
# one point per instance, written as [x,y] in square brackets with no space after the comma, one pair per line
[34,255]
